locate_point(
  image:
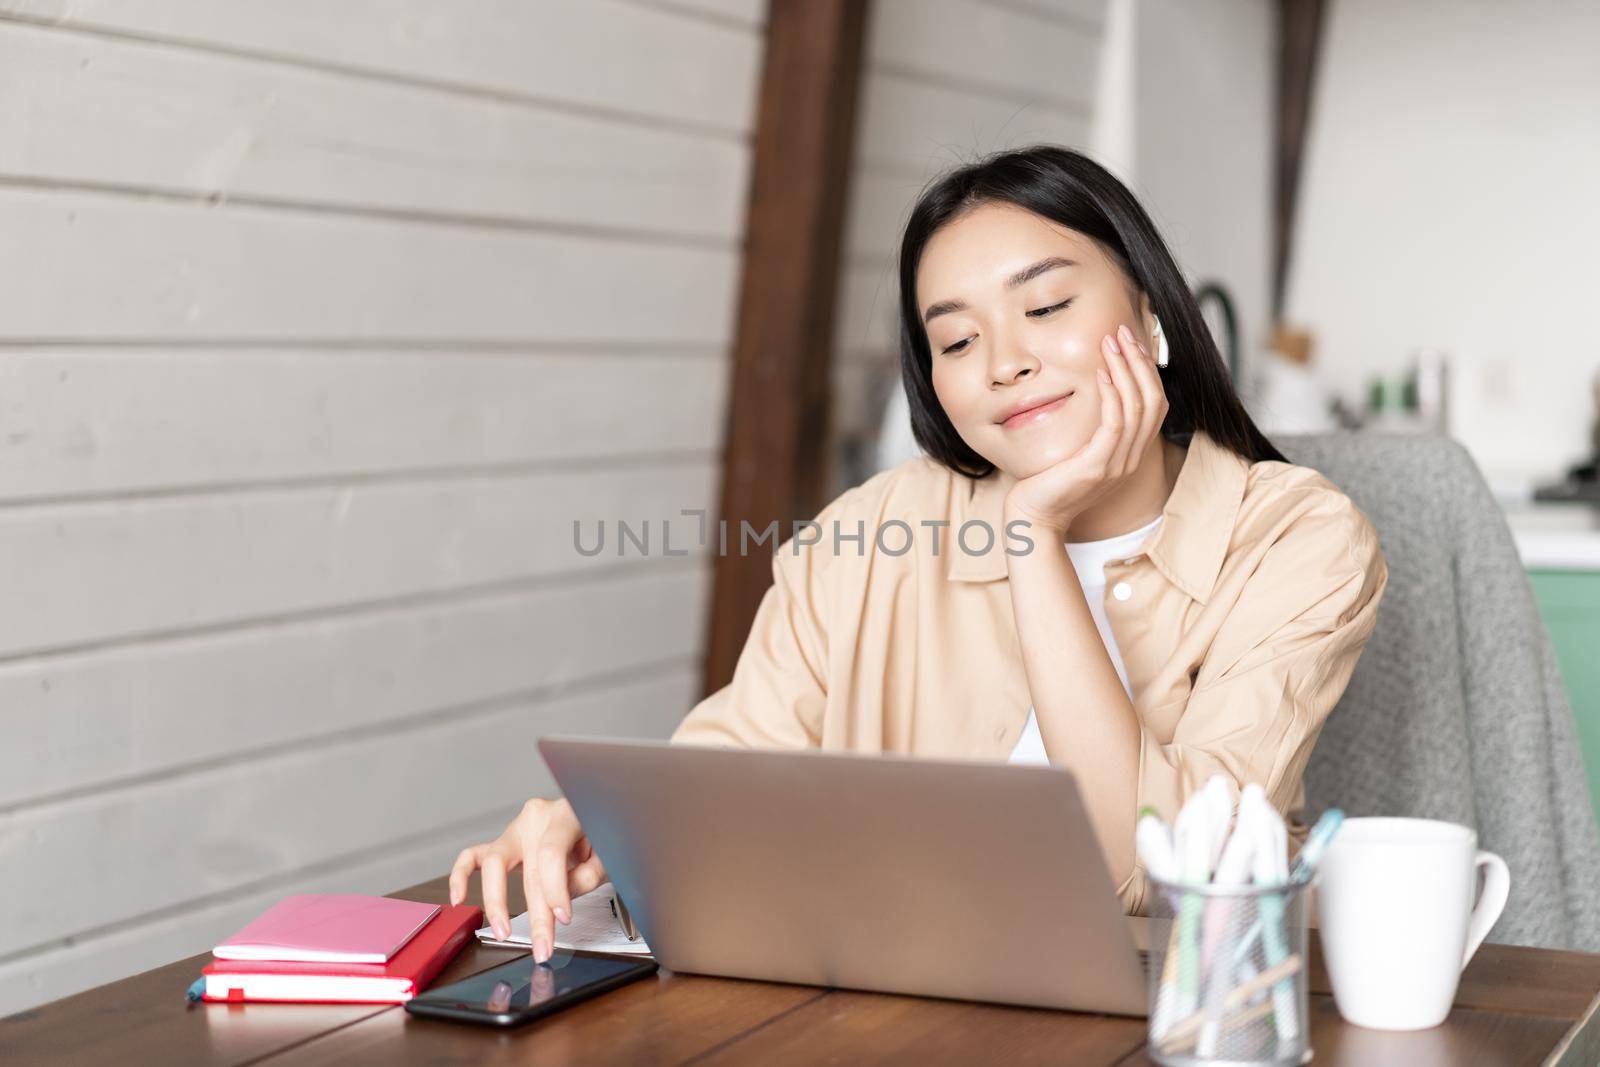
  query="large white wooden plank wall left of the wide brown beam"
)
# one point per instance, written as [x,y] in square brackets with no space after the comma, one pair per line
[322,324]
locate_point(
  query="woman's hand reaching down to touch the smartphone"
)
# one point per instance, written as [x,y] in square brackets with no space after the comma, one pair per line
[558,865]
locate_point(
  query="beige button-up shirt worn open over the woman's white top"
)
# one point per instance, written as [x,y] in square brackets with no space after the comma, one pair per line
[889,628]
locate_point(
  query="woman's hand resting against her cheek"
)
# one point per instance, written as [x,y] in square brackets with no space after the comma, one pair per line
[1134,407]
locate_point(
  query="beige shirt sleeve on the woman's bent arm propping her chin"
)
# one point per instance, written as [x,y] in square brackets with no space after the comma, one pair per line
[1276,669]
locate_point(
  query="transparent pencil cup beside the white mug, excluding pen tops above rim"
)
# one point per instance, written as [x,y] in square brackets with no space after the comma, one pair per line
[1228,975]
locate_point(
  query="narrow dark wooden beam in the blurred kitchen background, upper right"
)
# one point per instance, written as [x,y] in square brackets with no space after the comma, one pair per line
[1300,36]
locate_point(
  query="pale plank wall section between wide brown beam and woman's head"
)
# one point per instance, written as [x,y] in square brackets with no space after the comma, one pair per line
[946,82]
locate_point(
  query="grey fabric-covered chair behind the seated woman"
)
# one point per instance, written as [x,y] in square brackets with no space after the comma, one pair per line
[1457,709]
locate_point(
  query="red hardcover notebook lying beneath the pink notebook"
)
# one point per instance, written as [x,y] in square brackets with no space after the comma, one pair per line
[391,983]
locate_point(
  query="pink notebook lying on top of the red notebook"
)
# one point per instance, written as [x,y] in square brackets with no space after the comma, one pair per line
[329,929]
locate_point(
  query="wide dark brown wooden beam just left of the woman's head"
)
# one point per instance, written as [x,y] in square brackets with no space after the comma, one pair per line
[775,462]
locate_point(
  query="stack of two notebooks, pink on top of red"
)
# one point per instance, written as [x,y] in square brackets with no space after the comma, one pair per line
[346,949]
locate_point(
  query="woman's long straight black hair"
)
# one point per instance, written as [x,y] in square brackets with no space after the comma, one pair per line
[1078,193]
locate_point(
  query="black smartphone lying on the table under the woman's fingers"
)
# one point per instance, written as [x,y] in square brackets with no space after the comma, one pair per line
[524,991]
